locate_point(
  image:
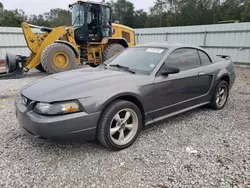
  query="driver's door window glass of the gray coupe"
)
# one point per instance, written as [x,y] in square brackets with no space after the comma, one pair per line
[184,59]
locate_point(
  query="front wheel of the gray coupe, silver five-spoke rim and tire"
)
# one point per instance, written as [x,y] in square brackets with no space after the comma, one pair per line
[119,125]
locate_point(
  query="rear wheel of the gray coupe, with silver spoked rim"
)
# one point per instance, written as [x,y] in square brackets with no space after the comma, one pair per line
[220,96]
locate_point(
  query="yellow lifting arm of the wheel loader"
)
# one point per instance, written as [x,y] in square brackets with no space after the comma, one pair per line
[37,43]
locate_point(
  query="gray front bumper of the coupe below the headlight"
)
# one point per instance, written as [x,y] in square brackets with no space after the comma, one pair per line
[70,127]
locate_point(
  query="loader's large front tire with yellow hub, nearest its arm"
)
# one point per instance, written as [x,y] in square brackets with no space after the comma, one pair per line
[58,58]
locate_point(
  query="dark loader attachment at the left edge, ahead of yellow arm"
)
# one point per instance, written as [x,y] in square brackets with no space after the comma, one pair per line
[14,67]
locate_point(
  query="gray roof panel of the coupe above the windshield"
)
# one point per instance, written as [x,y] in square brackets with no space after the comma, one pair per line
[168,45]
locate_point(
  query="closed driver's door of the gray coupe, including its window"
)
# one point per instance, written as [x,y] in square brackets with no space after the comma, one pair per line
[175,92]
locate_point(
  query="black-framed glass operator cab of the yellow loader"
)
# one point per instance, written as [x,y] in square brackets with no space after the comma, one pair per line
[92,22]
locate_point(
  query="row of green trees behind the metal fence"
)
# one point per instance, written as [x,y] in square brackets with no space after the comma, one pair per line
[164,13]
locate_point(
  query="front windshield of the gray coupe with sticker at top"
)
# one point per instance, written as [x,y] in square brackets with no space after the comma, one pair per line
[142,59]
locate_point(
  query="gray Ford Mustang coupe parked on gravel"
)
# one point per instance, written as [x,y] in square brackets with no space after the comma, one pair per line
[137,87]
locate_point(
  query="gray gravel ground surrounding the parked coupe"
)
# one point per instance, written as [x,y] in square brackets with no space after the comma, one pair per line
[159,158]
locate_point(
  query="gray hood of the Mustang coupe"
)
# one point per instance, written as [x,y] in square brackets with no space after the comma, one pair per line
[81,83]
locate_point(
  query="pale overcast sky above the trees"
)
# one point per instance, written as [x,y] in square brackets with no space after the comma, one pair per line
[41,6]
